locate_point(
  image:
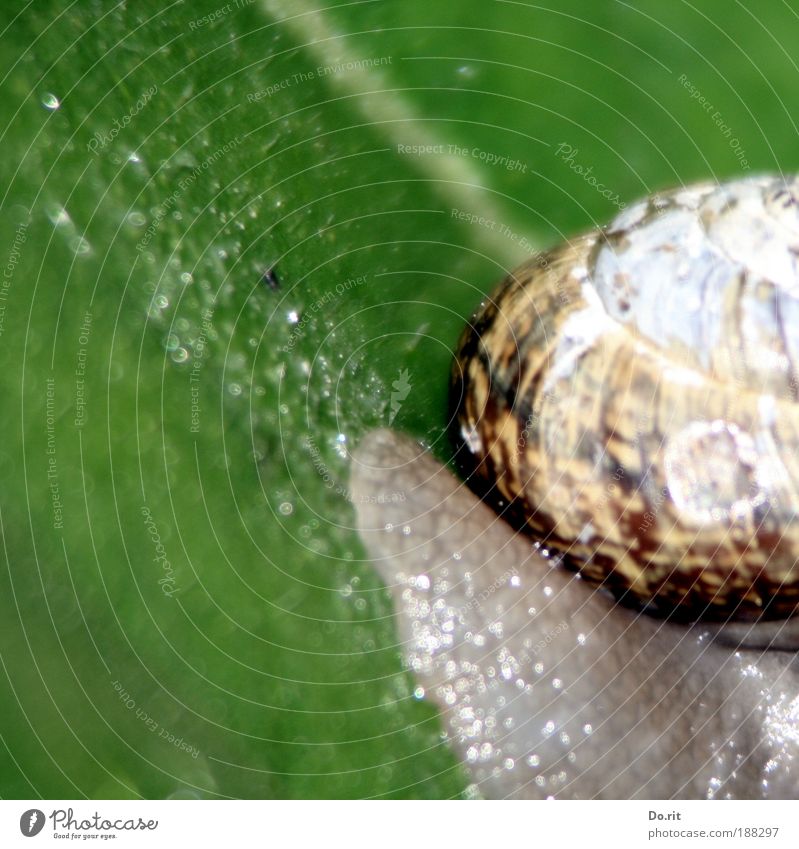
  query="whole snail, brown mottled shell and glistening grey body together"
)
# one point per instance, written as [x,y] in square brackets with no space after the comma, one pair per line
[630,399]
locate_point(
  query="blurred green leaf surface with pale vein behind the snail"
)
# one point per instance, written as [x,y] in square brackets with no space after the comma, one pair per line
[275,660]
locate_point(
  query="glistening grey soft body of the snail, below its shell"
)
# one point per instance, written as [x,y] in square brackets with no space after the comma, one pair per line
[546,688]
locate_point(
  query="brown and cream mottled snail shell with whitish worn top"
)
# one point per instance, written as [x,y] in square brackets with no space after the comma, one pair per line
[631,397]
